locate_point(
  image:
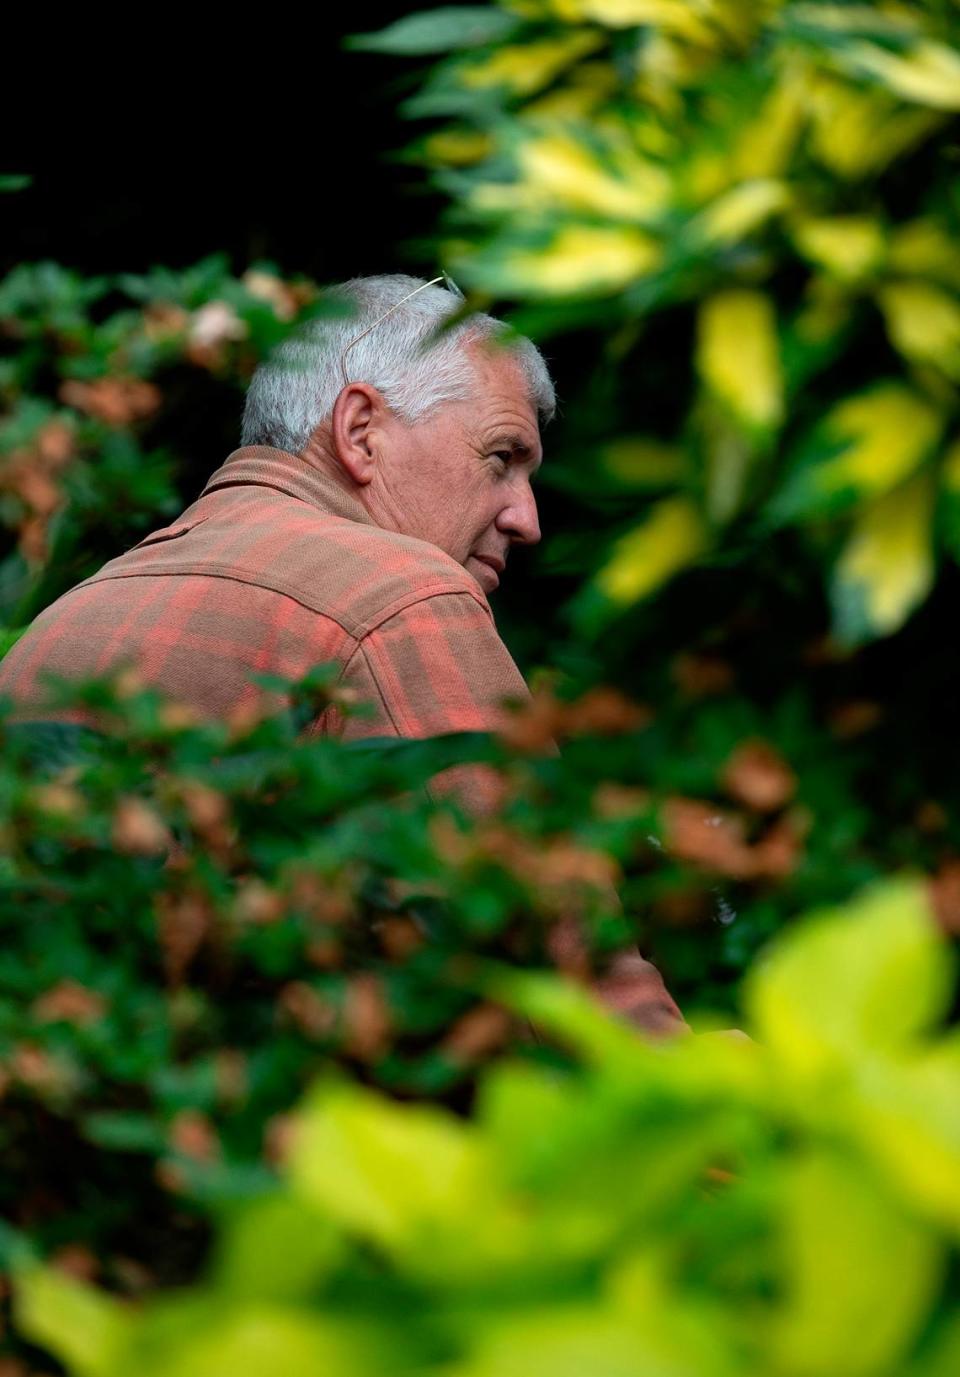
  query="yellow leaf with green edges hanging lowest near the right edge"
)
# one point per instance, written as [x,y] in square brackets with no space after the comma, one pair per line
[888,565]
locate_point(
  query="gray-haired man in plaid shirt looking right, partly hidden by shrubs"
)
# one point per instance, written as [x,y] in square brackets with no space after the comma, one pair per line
[384,480]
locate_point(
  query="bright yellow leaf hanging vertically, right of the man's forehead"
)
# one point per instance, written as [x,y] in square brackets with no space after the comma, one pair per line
[739,356]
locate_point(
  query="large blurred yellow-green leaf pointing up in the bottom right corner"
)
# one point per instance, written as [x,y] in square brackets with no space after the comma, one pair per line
[860,1273]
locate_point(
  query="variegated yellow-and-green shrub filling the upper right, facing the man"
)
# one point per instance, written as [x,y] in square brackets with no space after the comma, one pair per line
[733,227]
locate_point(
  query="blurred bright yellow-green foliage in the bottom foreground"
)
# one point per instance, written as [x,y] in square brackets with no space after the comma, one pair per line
[789,1207]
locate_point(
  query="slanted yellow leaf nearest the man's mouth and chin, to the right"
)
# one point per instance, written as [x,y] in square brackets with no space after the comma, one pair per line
[671,536]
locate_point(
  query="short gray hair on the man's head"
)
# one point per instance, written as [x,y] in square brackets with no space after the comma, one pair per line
[297,388]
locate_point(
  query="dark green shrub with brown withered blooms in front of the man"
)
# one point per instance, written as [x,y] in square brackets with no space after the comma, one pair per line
[200,918]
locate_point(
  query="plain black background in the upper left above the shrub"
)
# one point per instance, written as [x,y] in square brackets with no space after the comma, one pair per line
[331,200]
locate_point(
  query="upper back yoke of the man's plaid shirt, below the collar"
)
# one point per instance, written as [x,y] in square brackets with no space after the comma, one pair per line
[356,574]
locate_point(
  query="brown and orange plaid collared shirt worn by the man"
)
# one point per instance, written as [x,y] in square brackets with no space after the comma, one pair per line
[278,569]
